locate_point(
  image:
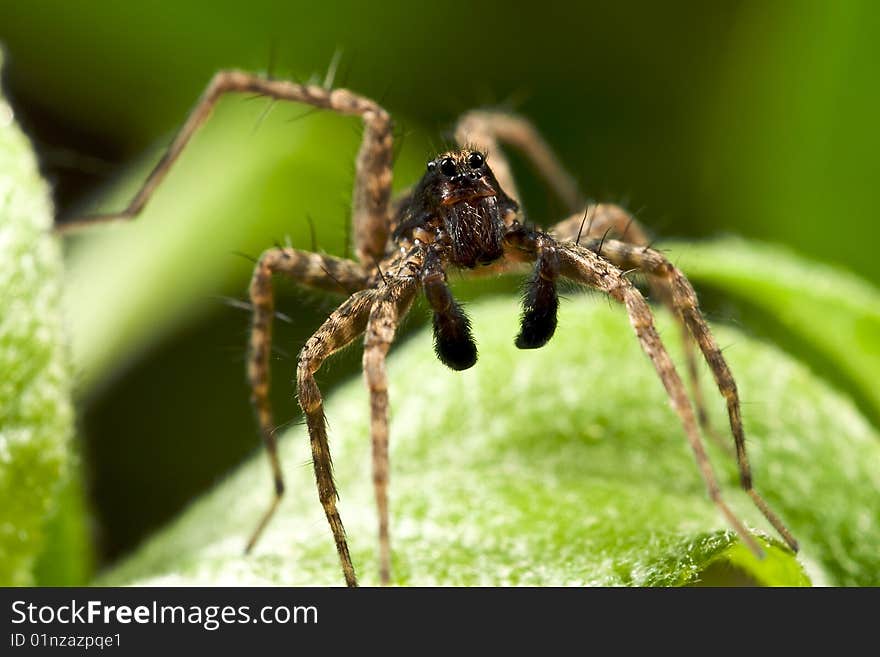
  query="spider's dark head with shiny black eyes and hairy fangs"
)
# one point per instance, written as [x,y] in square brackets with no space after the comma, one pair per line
[460,196]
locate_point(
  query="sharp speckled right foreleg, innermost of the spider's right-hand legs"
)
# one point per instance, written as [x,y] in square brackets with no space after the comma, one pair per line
[584,266]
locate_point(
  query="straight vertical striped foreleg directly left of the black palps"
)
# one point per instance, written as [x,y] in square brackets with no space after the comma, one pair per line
[393,303]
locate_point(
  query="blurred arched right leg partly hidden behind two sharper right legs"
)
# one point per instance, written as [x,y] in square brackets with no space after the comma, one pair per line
[599,221]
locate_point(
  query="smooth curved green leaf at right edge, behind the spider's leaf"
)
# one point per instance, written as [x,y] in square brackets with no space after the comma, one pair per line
[824,314]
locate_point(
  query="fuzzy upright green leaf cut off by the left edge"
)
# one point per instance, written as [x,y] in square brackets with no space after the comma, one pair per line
[36,416]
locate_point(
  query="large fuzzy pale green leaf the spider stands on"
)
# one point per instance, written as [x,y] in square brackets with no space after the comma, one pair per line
[563,465]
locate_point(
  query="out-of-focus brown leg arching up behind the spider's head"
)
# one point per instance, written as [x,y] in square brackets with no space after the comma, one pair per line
[485,129]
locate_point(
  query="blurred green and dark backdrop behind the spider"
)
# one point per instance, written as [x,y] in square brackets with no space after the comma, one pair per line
[748,118]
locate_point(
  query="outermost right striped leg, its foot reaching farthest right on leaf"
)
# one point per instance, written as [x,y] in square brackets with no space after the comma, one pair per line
[684,299]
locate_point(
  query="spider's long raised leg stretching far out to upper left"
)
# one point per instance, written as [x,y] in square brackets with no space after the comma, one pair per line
[373,174]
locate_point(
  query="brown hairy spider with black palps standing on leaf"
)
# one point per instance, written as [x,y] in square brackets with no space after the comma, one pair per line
[462,214]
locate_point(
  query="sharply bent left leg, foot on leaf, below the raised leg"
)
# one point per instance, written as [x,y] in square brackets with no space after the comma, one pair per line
[310,269]
